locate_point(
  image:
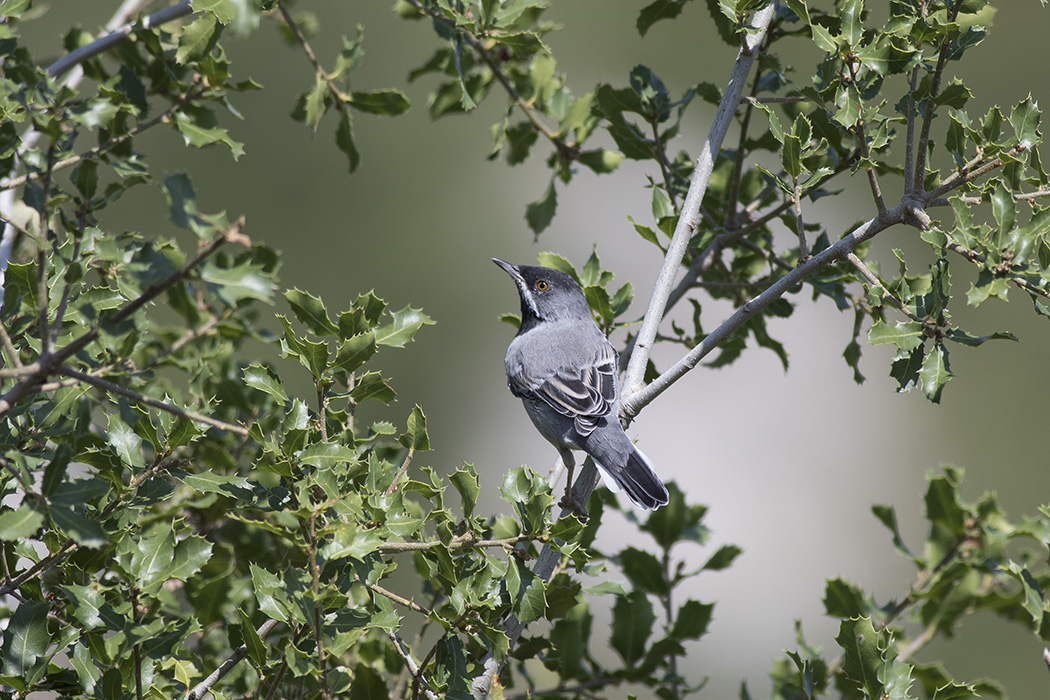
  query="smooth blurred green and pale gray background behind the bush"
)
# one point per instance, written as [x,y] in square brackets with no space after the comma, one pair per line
[790,463]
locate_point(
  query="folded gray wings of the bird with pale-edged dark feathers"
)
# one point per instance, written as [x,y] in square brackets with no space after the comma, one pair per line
[584,394]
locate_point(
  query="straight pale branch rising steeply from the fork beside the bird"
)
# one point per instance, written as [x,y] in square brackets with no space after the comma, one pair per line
[689,219]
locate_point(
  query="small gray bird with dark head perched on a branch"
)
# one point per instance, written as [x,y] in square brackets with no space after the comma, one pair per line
[564,370]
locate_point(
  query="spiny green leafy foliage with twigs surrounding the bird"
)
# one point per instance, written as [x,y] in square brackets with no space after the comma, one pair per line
[178,522]
